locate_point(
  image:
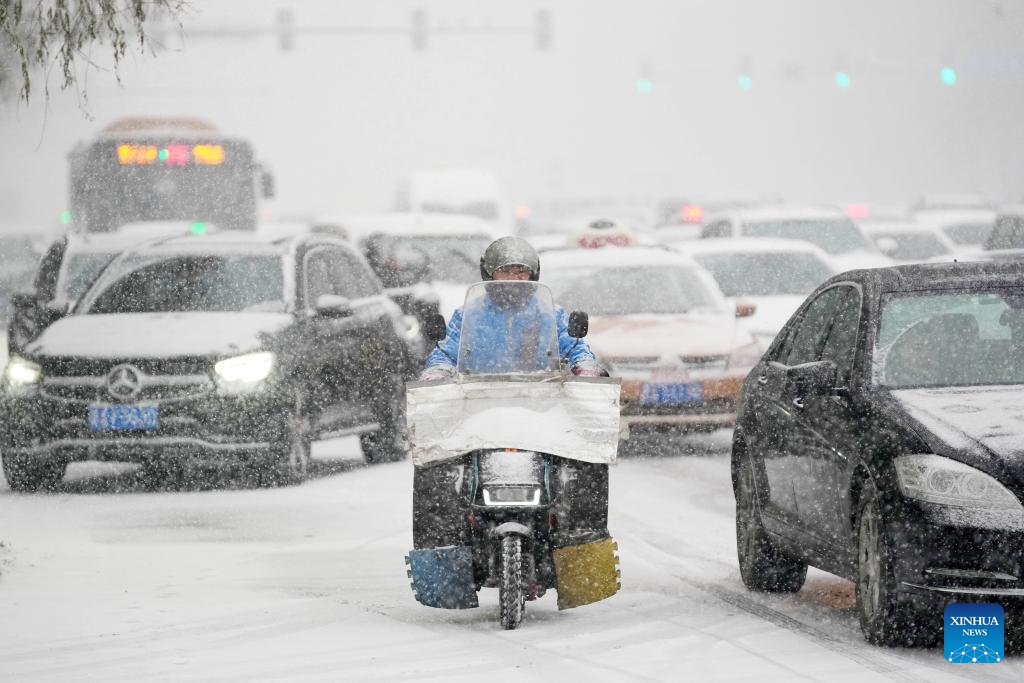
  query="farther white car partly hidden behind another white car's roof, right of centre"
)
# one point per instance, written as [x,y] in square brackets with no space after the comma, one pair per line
[825,227]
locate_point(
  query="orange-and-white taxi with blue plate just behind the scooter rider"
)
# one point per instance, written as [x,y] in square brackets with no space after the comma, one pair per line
[659,322]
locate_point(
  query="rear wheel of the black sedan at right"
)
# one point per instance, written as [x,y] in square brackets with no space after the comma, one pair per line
[763,566]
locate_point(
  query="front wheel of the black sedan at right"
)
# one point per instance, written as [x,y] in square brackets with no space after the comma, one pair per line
[885,613]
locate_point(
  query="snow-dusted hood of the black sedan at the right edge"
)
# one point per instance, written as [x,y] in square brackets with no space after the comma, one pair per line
[966,418]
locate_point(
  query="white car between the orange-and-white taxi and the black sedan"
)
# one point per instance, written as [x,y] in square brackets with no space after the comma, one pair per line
[776,276]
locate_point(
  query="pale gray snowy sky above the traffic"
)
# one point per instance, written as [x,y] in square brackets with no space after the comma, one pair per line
[342,118]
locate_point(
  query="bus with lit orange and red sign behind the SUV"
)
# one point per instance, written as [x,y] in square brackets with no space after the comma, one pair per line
[161,169]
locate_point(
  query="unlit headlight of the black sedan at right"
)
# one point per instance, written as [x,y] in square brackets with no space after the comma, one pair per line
[968,497]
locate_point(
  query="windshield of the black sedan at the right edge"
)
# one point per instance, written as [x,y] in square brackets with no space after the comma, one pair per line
[963,338]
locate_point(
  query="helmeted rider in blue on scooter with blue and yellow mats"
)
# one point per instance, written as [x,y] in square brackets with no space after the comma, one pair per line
[511,450]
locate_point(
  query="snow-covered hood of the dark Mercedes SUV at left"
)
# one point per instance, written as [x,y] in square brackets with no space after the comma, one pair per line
[157,335]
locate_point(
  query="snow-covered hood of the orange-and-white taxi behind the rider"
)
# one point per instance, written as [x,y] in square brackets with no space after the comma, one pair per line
[625,336]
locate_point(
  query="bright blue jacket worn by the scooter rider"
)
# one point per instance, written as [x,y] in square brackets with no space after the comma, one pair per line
[501,333]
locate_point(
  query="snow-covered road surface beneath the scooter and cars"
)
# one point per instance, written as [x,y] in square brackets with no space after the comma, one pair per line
[107,582]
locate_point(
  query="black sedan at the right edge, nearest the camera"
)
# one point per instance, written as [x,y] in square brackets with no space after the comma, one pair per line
[882,439]
